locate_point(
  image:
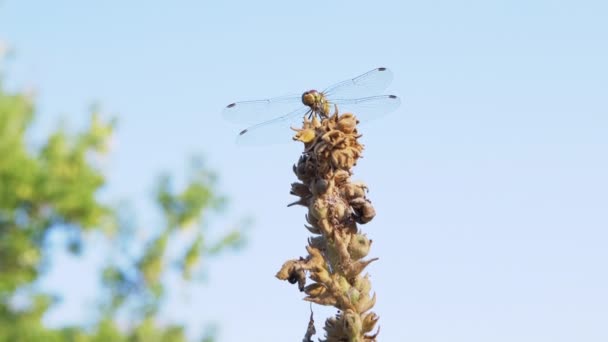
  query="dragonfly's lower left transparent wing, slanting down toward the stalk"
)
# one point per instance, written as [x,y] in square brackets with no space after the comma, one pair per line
[275,131]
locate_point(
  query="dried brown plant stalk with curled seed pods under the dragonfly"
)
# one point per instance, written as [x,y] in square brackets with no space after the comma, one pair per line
[336,252]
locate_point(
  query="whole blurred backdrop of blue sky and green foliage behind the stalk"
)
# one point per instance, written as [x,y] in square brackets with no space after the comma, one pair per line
[128,213]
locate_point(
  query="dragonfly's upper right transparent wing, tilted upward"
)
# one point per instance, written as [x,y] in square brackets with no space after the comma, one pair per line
[372,82]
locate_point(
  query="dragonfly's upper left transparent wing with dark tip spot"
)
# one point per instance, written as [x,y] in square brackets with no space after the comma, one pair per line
[252,112]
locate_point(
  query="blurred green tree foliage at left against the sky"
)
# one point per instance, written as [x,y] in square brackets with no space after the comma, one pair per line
[55,187]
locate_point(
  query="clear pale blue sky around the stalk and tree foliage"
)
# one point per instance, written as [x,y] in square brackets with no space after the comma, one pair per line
[490,181]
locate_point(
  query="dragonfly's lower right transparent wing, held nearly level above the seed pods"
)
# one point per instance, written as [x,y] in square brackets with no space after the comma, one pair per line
[368,108]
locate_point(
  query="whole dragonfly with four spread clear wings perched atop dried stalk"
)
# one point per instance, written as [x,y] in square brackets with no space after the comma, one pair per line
[270,120]
